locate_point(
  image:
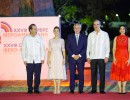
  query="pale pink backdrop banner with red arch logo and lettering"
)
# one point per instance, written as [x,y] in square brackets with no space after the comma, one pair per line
[12,31]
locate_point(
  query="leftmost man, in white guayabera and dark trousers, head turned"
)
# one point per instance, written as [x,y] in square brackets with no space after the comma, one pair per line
[33,54]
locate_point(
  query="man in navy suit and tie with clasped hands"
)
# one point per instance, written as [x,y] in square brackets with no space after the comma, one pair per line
[76,49]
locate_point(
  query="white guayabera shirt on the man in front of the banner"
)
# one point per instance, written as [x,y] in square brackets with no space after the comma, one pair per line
[33,49]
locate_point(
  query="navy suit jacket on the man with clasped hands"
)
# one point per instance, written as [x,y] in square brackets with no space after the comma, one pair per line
[73,48]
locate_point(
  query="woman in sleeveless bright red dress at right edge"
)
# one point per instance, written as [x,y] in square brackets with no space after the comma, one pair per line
[120,68]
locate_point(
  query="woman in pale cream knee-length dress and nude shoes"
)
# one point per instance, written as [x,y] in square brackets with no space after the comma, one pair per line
[56,60]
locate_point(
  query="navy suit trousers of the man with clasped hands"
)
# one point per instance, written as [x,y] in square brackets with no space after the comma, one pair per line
[80,69]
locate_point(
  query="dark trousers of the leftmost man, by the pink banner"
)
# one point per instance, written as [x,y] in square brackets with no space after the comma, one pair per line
[33,69]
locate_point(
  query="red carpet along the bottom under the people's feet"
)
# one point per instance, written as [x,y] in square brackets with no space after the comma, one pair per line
[62,96]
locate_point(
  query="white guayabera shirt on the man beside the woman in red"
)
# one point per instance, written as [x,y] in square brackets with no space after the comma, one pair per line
[98,45]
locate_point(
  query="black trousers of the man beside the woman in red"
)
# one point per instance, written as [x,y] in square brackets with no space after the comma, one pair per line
[95,65]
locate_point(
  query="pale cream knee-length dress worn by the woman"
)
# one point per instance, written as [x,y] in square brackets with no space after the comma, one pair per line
[56,69]
